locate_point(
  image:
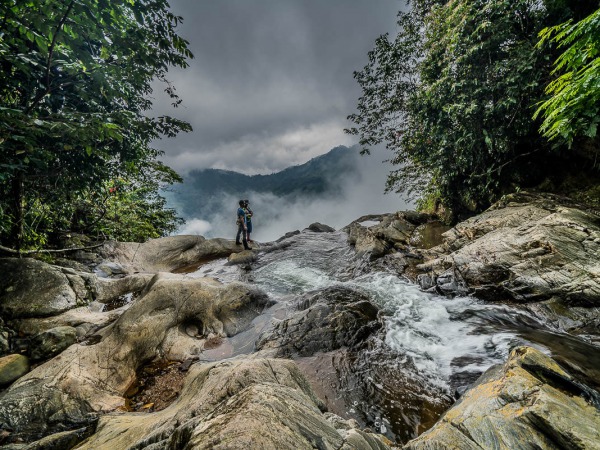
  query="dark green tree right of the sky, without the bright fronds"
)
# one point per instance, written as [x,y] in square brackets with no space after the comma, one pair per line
[453,95]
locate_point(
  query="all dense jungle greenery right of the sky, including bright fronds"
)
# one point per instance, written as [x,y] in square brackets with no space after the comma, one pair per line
[480,98]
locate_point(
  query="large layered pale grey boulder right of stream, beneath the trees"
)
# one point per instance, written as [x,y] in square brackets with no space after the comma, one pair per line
[525,248]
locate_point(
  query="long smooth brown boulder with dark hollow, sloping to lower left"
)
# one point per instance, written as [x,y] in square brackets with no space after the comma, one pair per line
[70,390]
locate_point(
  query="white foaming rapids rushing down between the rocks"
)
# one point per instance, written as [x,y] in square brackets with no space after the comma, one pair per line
[446,338]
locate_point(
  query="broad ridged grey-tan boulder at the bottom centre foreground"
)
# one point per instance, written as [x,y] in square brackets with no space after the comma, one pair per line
[237,404]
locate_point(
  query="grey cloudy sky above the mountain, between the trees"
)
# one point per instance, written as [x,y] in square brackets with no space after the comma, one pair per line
[271,83]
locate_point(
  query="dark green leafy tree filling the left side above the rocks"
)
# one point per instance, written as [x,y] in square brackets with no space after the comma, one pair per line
[75,80]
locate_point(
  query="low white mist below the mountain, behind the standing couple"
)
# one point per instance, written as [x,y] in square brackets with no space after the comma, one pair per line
[274,216]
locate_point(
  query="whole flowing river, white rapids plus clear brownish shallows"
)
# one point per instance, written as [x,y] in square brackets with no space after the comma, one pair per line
[441,344]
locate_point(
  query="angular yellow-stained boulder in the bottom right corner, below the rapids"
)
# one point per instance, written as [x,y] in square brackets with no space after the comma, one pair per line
[528,403]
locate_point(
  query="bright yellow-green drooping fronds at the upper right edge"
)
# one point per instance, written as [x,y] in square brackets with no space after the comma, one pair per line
[574,106]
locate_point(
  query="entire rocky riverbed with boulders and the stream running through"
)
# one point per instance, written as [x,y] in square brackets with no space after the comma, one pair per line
[322,339]
